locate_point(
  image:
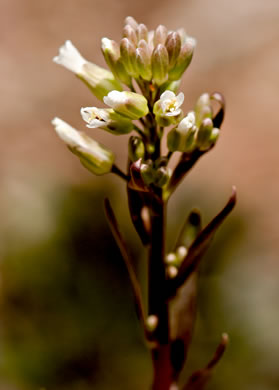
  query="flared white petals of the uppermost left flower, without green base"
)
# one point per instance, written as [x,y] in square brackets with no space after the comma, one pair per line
[70,58]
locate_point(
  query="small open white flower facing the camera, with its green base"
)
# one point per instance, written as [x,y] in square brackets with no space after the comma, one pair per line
[167,109]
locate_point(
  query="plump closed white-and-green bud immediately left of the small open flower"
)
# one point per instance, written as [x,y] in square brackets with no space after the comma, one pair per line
[130,104]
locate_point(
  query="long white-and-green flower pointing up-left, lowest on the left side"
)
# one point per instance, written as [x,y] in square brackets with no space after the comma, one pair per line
[93,156]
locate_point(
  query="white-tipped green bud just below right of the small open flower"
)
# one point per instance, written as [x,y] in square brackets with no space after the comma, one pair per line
[182,138]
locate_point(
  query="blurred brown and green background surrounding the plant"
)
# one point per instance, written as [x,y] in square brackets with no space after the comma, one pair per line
[66,313]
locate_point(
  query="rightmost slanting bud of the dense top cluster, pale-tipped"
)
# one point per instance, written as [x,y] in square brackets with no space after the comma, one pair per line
[184,59]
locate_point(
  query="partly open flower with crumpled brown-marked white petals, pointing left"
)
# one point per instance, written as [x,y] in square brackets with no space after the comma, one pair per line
[107,119]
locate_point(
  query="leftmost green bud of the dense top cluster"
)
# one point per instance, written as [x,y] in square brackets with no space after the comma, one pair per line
[111,52]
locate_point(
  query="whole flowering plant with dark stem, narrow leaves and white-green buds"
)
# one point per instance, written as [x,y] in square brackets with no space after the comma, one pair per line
[140,92]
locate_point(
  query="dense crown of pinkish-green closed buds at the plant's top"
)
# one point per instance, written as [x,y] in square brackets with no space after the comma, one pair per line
[158,56]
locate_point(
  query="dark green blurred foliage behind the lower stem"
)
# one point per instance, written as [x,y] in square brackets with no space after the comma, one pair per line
[66,309]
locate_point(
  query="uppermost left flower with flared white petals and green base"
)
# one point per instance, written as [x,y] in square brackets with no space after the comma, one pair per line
[99,80]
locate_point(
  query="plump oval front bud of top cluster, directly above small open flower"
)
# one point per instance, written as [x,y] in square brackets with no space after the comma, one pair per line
[160,63]
